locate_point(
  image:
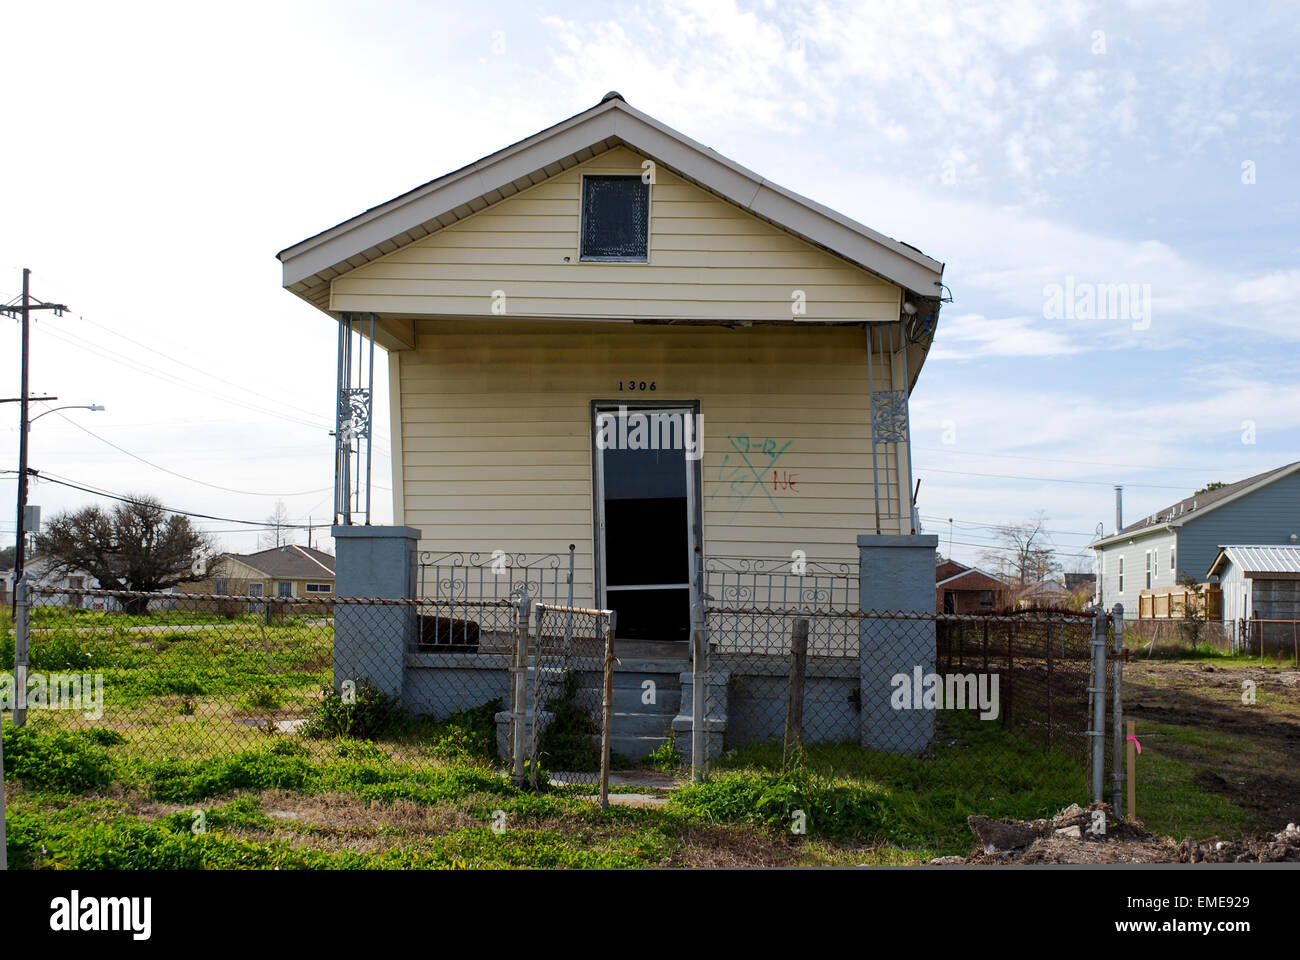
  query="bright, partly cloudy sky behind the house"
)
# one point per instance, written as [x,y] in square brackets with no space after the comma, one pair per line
[1043,152]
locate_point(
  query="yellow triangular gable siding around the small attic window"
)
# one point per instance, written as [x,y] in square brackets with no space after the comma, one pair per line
[708,261]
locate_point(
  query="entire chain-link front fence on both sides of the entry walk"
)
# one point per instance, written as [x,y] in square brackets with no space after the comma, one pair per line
[526,687]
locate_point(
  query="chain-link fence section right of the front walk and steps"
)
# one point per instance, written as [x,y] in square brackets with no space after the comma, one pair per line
[965,691]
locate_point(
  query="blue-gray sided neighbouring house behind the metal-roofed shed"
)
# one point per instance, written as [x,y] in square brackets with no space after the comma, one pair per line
[1185,539]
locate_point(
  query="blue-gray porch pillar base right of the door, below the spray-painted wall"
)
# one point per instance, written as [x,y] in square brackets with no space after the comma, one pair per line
[896,574]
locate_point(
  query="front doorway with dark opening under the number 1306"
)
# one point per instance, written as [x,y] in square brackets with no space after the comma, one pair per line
[645,500]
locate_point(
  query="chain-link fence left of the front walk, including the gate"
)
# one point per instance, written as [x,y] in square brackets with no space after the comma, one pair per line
[187,678]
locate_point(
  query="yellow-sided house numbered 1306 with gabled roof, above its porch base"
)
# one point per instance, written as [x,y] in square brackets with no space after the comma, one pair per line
[610,336]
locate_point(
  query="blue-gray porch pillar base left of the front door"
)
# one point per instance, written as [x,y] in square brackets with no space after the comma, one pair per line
[371,642]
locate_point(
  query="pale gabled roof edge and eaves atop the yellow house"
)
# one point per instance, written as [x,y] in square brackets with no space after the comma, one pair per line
[311,265]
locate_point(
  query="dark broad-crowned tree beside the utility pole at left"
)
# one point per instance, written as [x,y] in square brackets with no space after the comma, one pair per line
[137,546]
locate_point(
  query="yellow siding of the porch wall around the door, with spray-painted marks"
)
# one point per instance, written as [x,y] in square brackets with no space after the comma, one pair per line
[496,436]
